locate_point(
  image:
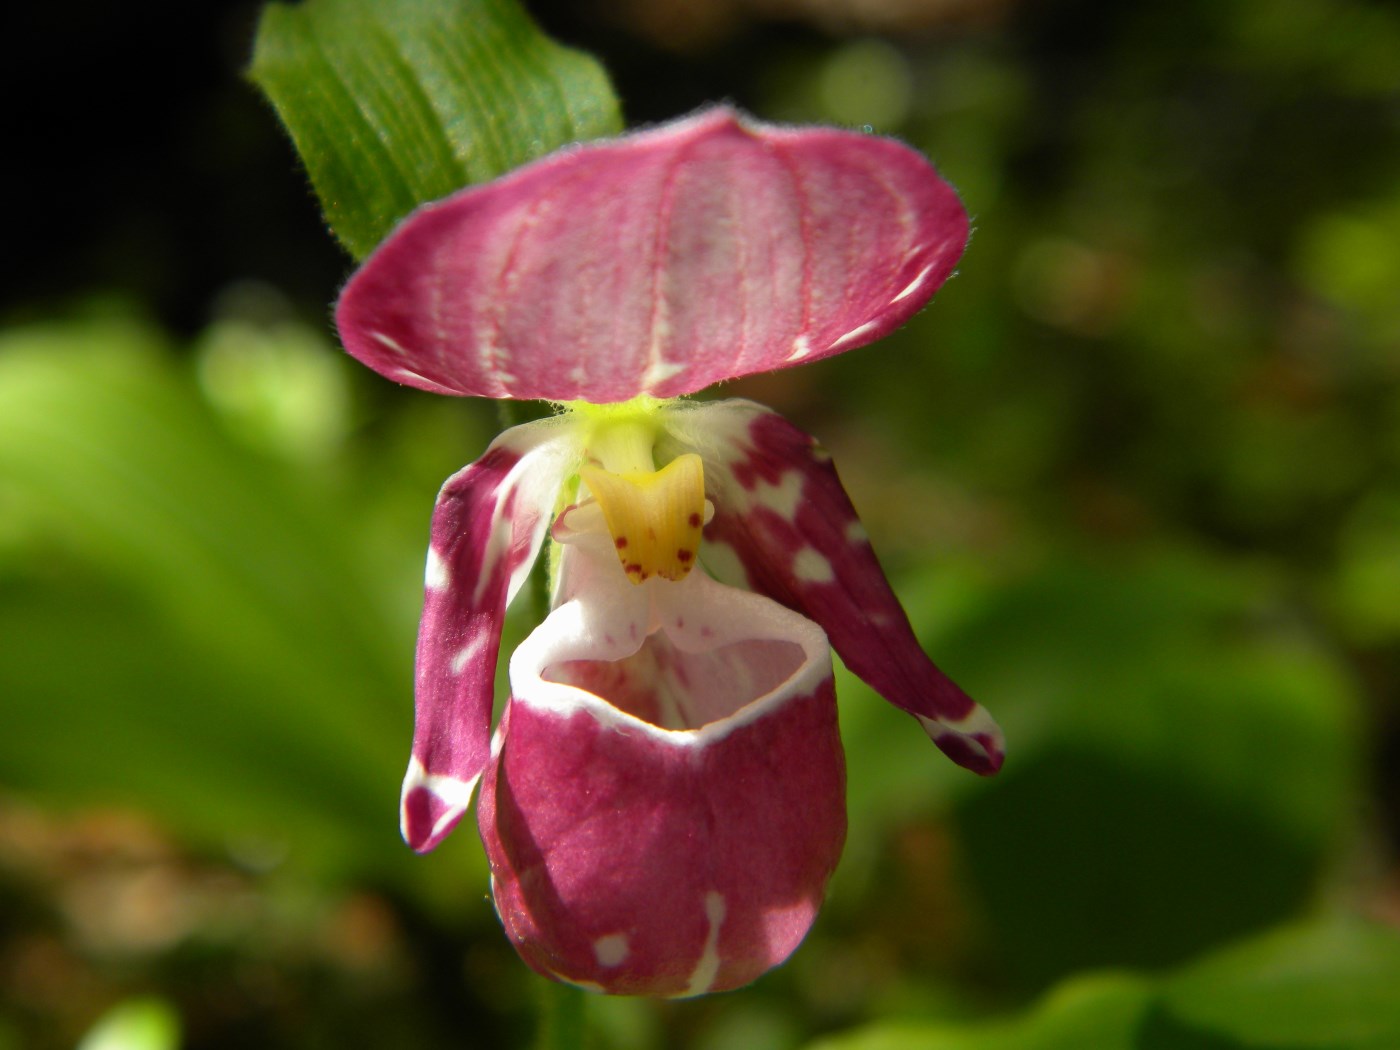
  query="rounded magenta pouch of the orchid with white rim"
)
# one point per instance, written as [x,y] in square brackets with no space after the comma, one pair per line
[675,863]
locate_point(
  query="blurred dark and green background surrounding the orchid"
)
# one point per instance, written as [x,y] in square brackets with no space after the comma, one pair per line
[1136,474]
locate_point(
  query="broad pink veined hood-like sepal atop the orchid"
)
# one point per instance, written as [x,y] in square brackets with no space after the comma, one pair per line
[657,264]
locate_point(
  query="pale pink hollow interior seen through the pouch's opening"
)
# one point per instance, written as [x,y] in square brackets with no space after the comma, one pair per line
[673,689]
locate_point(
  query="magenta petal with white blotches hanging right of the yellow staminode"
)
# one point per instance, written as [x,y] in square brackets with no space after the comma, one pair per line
[785,523]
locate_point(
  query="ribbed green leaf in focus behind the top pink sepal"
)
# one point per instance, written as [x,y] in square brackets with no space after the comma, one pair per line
[397,104]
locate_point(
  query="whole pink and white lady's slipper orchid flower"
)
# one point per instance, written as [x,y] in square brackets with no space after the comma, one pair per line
[663,800]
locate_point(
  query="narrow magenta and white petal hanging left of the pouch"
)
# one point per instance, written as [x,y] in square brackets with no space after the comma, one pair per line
[488,528]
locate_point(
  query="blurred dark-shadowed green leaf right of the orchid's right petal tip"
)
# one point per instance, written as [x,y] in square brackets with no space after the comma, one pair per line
[1181,762]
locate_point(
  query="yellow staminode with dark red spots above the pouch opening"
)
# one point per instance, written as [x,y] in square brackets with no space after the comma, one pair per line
[654,516]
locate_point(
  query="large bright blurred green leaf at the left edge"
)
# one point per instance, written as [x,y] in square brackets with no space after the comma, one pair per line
[187,625]
